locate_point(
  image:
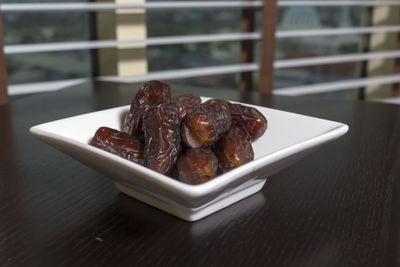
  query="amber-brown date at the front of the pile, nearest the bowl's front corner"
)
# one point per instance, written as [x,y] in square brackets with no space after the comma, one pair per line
[197,166]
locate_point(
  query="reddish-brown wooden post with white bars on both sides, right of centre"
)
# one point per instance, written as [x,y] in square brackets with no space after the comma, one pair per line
[269,19]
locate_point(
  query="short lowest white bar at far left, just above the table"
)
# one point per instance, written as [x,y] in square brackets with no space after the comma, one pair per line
[38,87]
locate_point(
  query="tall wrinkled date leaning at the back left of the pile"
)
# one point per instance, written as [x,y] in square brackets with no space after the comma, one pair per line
[150,93]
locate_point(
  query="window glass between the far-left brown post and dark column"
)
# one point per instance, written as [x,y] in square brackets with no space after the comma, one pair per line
[44,27]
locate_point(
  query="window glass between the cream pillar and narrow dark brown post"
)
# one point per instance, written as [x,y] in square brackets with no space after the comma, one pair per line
[197,21]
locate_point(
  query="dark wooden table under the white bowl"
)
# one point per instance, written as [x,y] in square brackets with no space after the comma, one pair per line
[339,206]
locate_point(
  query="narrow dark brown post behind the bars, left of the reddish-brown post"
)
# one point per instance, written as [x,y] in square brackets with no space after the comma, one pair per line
[247,47]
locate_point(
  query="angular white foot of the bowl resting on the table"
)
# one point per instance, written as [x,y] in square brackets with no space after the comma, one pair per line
[189,213]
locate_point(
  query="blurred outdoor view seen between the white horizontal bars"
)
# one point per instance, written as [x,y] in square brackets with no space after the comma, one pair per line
[49,27]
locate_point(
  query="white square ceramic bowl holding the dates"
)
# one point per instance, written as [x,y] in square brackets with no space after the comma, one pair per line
[288,138]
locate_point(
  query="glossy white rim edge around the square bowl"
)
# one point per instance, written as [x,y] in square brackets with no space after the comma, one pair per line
[178,187]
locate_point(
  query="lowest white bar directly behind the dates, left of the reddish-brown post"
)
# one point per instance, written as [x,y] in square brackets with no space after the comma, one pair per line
[183,73]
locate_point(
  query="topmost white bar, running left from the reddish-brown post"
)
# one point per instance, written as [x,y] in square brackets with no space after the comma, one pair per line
[34,7]
